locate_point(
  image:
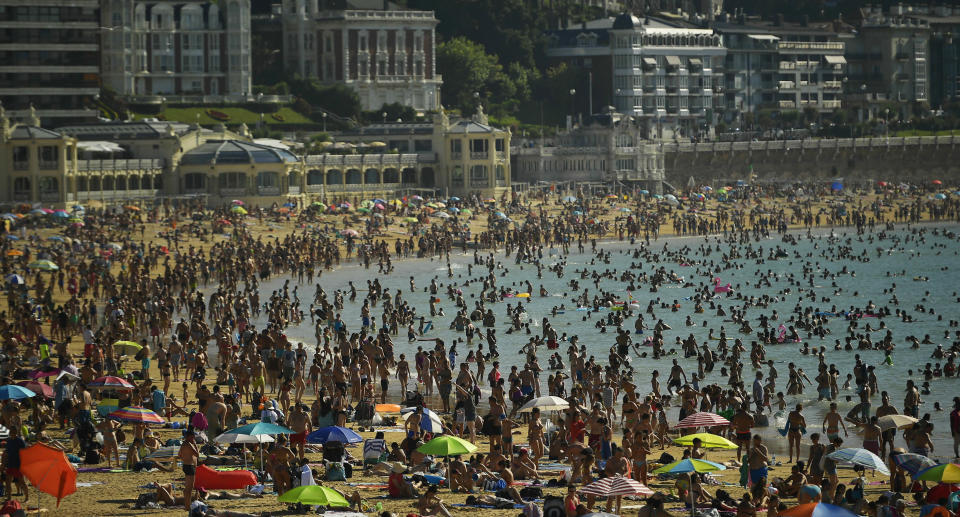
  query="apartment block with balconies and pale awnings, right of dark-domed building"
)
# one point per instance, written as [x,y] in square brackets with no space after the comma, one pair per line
[781,66]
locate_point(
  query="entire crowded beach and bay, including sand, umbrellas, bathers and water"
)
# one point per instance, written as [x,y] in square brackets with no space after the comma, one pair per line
[742,349]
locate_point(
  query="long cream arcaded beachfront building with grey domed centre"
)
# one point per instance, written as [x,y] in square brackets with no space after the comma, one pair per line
[146,161]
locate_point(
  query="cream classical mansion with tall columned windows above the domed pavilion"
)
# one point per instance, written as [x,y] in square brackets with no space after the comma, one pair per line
[386,54]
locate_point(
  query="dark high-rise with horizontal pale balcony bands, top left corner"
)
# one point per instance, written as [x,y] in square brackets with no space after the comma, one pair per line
[49,58]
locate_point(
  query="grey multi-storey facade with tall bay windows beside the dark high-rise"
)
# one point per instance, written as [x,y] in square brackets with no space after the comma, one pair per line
[165,48]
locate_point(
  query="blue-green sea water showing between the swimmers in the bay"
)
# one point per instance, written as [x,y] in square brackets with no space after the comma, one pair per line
[935,259]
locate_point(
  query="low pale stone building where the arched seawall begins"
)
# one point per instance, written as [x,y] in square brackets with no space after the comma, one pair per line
[608,149]
